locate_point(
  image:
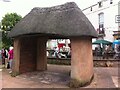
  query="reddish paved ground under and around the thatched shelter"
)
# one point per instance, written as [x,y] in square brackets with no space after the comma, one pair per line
[57,76]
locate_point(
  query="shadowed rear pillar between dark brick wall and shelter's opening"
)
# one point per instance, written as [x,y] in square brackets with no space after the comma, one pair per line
[41,54]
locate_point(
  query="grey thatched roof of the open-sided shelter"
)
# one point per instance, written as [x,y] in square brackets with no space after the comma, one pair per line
[65,20]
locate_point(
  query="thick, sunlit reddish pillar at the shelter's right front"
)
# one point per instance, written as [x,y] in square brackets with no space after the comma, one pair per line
[81,60]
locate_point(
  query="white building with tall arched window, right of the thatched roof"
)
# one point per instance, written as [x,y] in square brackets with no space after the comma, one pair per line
[104,15]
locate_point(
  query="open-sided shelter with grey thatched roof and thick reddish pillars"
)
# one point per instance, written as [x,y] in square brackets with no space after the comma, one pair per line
[62,21]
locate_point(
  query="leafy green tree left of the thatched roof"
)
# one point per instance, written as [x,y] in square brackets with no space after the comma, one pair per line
[8,22]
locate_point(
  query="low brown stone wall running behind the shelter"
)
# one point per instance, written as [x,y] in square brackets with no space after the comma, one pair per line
[96,63]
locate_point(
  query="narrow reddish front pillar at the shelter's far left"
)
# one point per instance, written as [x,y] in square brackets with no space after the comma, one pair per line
[16,60]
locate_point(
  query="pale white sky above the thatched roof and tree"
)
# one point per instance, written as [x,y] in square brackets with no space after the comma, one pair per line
[23,7]
